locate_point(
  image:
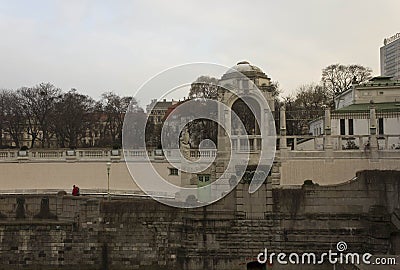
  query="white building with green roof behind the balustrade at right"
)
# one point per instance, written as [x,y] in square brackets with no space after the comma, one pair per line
[351,117]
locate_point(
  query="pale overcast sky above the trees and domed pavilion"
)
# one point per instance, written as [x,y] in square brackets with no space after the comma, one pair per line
[98,46]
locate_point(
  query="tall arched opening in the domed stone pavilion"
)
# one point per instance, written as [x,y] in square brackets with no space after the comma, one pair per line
[246,137]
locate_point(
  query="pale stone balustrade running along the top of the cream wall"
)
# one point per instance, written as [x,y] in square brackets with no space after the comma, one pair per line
[252,144]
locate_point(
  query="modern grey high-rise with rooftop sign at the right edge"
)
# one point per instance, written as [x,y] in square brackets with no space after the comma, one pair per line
[390,57]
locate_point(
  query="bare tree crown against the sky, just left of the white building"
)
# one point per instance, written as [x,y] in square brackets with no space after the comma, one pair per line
[337,78]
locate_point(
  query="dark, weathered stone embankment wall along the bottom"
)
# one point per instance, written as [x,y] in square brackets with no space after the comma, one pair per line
[65,232]
